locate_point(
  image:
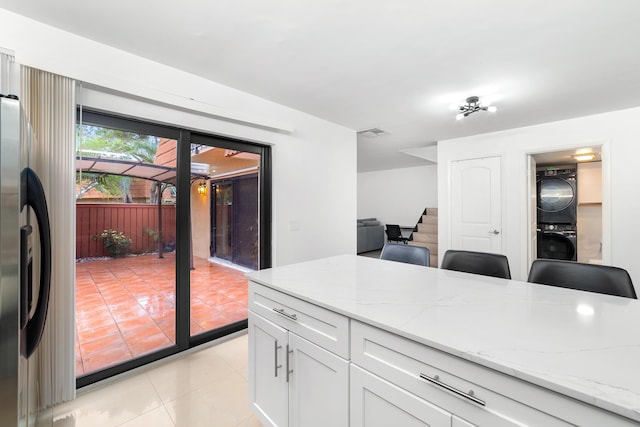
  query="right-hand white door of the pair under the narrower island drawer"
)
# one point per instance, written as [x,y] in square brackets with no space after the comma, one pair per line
[318,386]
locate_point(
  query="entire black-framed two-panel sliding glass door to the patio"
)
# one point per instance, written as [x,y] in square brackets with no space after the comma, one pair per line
[168,221]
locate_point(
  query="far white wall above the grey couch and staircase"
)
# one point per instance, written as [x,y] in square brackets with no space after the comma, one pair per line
[397,196]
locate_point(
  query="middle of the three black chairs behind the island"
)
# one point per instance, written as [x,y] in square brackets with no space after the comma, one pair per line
[483,263]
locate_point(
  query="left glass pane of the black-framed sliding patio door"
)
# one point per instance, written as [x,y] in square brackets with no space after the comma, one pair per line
[125,243]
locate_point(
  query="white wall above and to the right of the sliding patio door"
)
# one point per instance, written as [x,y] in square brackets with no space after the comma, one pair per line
[314,161]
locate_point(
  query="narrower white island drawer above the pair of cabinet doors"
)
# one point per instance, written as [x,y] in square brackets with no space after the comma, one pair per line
[323,327]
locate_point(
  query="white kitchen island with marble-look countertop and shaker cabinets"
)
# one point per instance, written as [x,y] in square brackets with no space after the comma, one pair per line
[368,342]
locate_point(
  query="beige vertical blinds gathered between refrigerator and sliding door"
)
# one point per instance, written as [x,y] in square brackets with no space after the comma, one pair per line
[49,104]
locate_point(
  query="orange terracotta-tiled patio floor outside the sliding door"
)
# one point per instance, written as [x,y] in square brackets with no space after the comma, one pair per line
[125,307]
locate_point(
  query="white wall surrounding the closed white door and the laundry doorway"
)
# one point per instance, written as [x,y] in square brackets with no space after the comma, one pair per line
[617,132]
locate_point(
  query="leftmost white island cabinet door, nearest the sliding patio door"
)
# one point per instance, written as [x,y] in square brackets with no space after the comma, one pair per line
[268,388]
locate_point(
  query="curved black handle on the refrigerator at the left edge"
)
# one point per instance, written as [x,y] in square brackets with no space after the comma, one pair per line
[32,194]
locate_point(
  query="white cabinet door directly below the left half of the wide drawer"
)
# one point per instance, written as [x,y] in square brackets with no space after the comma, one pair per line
[378,403]
